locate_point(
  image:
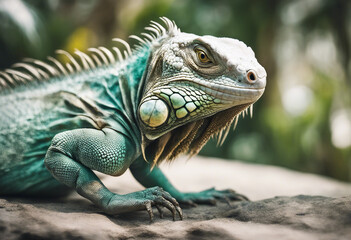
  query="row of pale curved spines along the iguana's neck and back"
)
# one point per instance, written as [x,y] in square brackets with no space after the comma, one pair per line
[31,70]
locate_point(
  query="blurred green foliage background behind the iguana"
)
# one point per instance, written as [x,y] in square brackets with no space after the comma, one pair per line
[302,122]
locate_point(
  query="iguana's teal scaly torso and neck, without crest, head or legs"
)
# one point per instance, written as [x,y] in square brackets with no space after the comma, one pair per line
[32,114]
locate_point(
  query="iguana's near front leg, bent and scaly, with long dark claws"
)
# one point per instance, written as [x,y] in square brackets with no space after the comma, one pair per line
[74,154]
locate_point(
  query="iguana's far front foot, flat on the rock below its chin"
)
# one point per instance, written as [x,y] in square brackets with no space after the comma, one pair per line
[210,196]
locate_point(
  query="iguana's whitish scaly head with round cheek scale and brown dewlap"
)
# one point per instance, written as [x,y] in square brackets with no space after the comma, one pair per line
[195,87]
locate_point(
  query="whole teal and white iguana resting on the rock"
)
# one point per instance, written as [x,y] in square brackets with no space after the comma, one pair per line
[110,110]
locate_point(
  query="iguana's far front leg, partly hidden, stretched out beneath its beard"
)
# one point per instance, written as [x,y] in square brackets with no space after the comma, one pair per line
[148,177]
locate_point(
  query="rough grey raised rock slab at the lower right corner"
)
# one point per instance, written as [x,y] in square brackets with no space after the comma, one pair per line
[309,213]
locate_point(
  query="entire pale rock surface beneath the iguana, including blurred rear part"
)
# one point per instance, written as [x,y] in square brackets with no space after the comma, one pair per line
[313,207]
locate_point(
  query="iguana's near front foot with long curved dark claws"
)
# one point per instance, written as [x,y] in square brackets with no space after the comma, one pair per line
[145,200]
